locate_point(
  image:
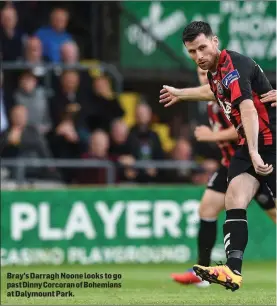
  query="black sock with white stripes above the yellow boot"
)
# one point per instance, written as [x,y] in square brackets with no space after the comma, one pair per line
[235,238]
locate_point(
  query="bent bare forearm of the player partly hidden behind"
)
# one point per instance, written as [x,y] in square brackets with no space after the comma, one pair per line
[204,133]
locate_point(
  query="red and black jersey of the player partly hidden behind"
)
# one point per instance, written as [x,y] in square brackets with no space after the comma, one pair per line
[219,122]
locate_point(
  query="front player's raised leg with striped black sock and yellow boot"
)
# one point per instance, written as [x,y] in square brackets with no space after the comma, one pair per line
[242,188]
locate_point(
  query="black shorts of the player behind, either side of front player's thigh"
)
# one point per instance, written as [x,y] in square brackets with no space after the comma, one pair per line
[218,182]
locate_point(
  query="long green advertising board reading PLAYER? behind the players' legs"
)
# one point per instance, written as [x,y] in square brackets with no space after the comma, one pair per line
[115,225]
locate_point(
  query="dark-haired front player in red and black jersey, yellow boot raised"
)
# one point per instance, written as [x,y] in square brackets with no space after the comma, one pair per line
[237,83]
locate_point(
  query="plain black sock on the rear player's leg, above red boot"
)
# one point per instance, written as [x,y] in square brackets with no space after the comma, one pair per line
[206,241]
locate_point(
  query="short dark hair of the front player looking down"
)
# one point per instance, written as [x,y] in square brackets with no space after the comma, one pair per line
[196,28]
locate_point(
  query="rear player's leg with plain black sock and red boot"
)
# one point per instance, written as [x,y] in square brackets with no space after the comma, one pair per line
[212,203]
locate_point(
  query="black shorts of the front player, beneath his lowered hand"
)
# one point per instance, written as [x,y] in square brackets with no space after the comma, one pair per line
[241,163]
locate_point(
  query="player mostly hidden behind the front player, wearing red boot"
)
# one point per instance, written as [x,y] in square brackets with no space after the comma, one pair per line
[212,203]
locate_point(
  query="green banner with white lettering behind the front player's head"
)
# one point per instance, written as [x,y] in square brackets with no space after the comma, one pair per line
[248,27]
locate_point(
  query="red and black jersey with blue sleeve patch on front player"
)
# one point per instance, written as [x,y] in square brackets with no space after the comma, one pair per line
[239,78]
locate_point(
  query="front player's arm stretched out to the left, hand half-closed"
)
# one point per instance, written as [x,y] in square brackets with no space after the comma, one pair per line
[171,95]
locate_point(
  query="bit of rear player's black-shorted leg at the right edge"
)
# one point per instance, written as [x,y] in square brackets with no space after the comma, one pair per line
[266,202]
